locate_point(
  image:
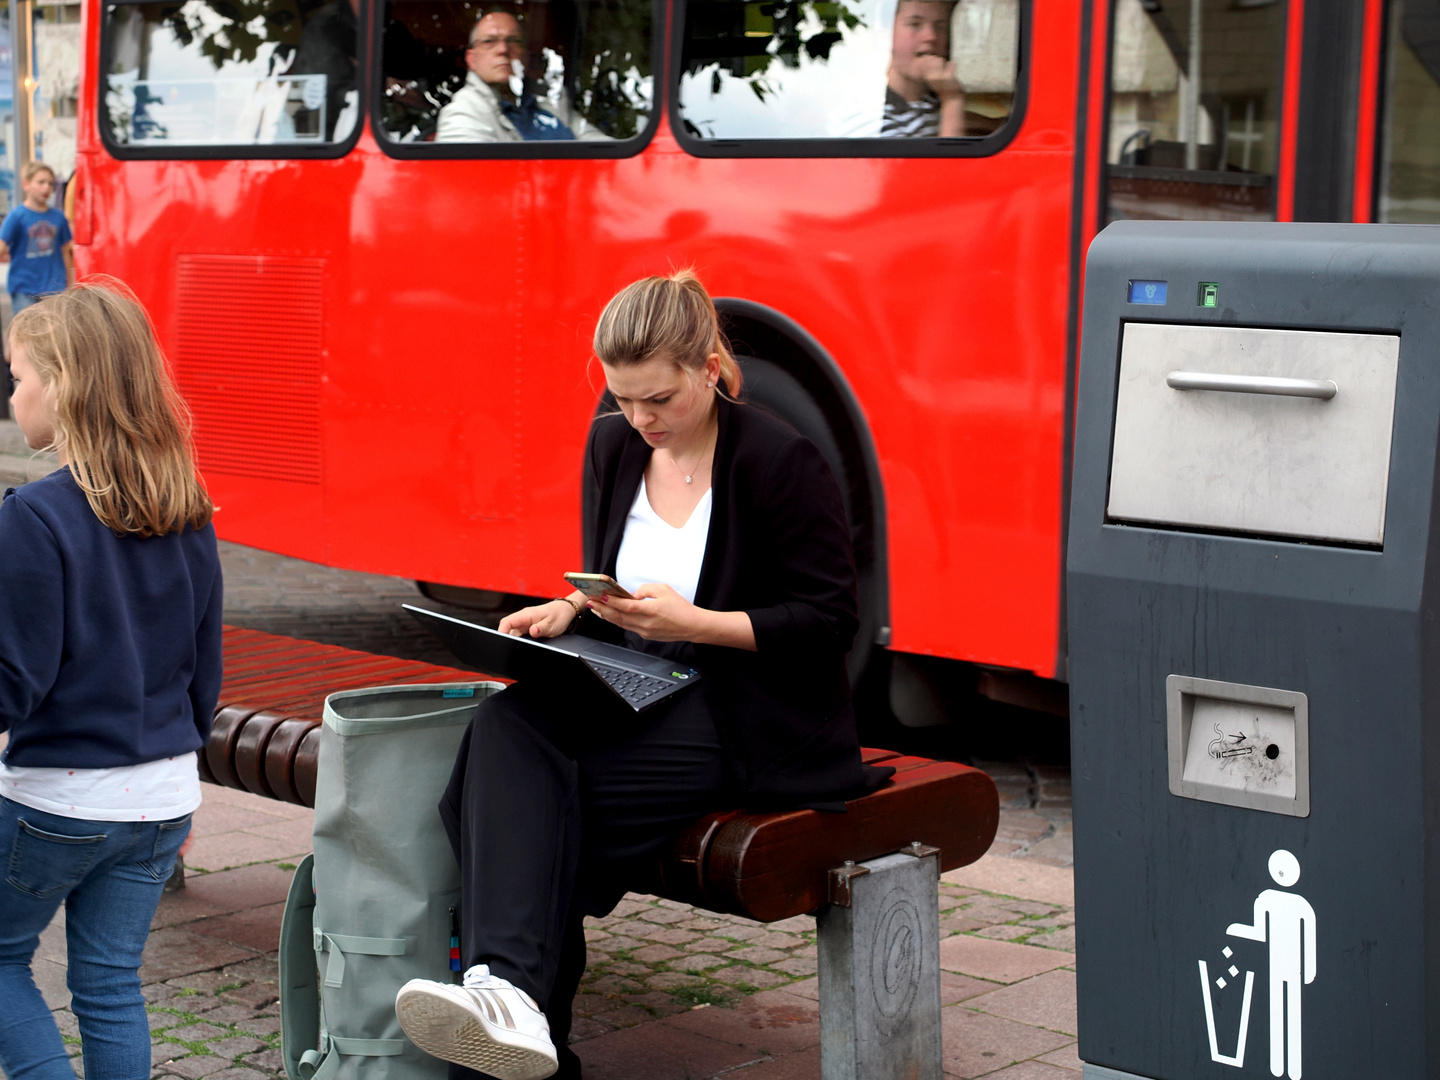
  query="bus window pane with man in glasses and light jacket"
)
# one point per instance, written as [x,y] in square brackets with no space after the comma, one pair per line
[539,71]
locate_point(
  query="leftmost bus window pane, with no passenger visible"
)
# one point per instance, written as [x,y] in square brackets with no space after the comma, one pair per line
[208,73]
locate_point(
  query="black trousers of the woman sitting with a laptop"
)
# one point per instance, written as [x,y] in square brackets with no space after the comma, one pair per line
[552,816]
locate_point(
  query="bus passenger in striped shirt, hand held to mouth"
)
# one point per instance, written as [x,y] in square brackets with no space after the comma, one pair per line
[924,97]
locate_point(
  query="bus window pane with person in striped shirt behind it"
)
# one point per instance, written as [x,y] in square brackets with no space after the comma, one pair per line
[804,70]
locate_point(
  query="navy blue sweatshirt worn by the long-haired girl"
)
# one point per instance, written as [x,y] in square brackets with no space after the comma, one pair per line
[110,647]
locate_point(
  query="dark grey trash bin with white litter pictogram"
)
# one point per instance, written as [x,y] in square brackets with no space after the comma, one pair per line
[1255,653]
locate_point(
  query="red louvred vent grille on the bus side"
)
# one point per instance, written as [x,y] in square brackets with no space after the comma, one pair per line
[248,361]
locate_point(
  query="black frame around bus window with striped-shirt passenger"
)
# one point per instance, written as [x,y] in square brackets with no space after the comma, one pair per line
[968,146]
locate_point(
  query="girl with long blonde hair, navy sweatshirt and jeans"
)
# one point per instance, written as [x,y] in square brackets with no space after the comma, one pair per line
[110,670]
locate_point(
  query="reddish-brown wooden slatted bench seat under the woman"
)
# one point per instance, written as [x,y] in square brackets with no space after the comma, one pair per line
[765,866]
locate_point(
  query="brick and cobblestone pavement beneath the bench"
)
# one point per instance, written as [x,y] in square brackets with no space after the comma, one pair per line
[672,991]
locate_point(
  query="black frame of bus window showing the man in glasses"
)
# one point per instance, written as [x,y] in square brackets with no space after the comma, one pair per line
[538,150]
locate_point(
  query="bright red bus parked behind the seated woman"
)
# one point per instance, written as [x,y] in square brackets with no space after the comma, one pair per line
[379,293]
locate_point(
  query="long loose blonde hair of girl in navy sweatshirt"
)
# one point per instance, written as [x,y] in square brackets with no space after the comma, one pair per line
[119,417]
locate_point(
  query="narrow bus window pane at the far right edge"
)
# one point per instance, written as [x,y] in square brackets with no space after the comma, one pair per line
[1410,169]
